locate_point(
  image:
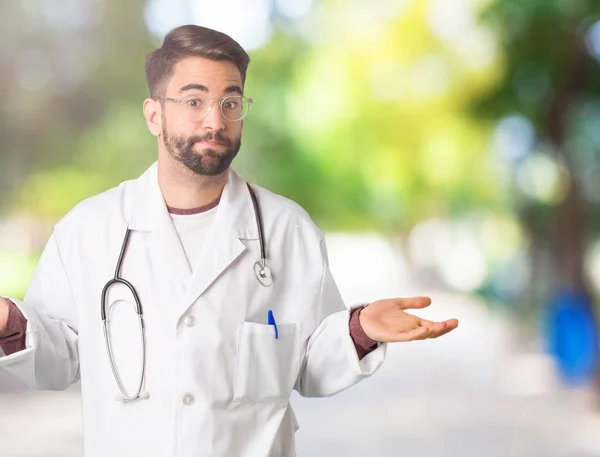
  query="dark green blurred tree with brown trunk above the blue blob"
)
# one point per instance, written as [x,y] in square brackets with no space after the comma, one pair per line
[552,81]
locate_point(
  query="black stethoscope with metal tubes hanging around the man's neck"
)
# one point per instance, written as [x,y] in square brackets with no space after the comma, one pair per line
[261,271]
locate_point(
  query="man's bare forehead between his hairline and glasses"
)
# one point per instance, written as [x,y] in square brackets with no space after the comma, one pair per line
[215,75]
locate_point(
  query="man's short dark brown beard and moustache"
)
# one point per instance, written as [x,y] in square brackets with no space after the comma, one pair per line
[208,162]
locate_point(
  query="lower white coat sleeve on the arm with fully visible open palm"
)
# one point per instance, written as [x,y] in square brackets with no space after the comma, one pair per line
[331,363]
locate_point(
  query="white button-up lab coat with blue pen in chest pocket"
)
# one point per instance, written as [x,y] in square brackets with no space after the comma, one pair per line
[218,381]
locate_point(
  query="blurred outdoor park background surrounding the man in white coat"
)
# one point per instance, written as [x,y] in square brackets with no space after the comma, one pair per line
[446,147]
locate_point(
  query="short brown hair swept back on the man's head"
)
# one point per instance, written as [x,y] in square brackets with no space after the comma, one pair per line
[188,41]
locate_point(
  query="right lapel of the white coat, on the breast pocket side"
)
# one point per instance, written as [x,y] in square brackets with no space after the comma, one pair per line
[234,221]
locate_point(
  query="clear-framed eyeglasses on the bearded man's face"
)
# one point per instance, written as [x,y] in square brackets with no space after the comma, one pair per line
[233,107]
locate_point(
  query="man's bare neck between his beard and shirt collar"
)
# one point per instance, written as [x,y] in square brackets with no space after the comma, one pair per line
[183,189]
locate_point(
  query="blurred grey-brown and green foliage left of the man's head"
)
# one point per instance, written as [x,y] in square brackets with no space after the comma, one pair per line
[67,73]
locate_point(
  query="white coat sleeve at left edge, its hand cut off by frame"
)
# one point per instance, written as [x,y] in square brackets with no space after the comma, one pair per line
[50,359]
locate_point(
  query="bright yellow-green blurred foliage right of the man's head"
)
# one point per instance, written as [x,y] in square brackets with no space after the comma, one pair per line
[380,104]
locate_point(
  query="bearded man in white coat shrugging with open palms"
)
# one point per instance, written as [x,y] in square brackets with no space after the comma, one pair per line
[208,329]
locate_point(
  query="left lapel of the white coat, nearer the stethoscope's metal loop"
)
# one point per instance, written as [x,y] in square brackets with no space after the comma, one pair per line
[164,246]
